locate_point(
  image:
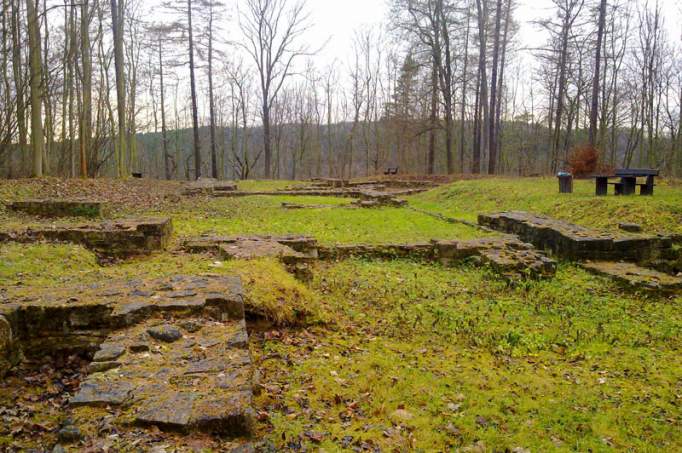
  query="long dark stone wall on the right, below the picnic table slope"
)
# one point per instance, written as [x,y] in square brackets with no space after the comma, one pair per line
[579,243]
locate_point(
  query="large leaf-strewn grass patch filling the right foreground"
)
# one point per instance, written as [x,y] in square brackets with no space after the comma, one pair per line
[564,365]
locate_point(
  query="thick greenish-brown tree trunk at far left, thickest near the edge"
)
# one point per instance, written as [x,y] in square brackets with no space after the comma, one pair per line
[34,44]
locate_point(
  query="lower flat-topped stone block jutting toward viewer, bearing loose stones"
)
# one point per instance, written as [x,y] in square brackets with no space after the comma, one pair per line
[199,382]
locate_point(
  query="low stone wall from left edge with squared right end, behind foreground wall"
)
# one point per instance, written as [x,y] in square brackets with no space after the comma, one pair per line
[109,240]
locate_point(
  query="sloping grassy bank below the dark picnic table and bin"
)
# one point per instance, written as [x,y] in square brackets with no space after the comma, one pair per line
[466,199]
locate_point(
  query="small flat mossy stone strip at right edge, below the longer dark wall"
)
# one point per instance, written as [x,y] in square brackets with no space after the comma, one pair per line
[635,276]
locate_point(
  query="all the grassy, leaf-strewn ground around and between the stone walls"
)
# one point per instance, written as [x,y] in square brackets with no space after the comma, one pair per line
[401,355]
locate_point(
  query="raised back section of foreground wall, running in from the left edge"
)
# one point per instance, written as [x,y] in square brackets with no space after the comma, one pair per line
[81,317]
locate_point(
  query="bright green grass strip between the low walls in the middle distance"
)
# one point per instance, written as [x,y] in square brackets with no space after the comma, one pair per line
[264,215]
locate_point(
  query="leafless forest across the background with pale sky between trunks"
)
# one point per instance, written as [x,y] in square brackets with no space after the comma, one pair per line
[96,89]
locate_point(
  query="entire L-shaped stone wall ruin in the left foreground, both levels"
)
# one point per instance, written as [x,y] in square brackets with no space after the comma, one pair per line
[171,352]
